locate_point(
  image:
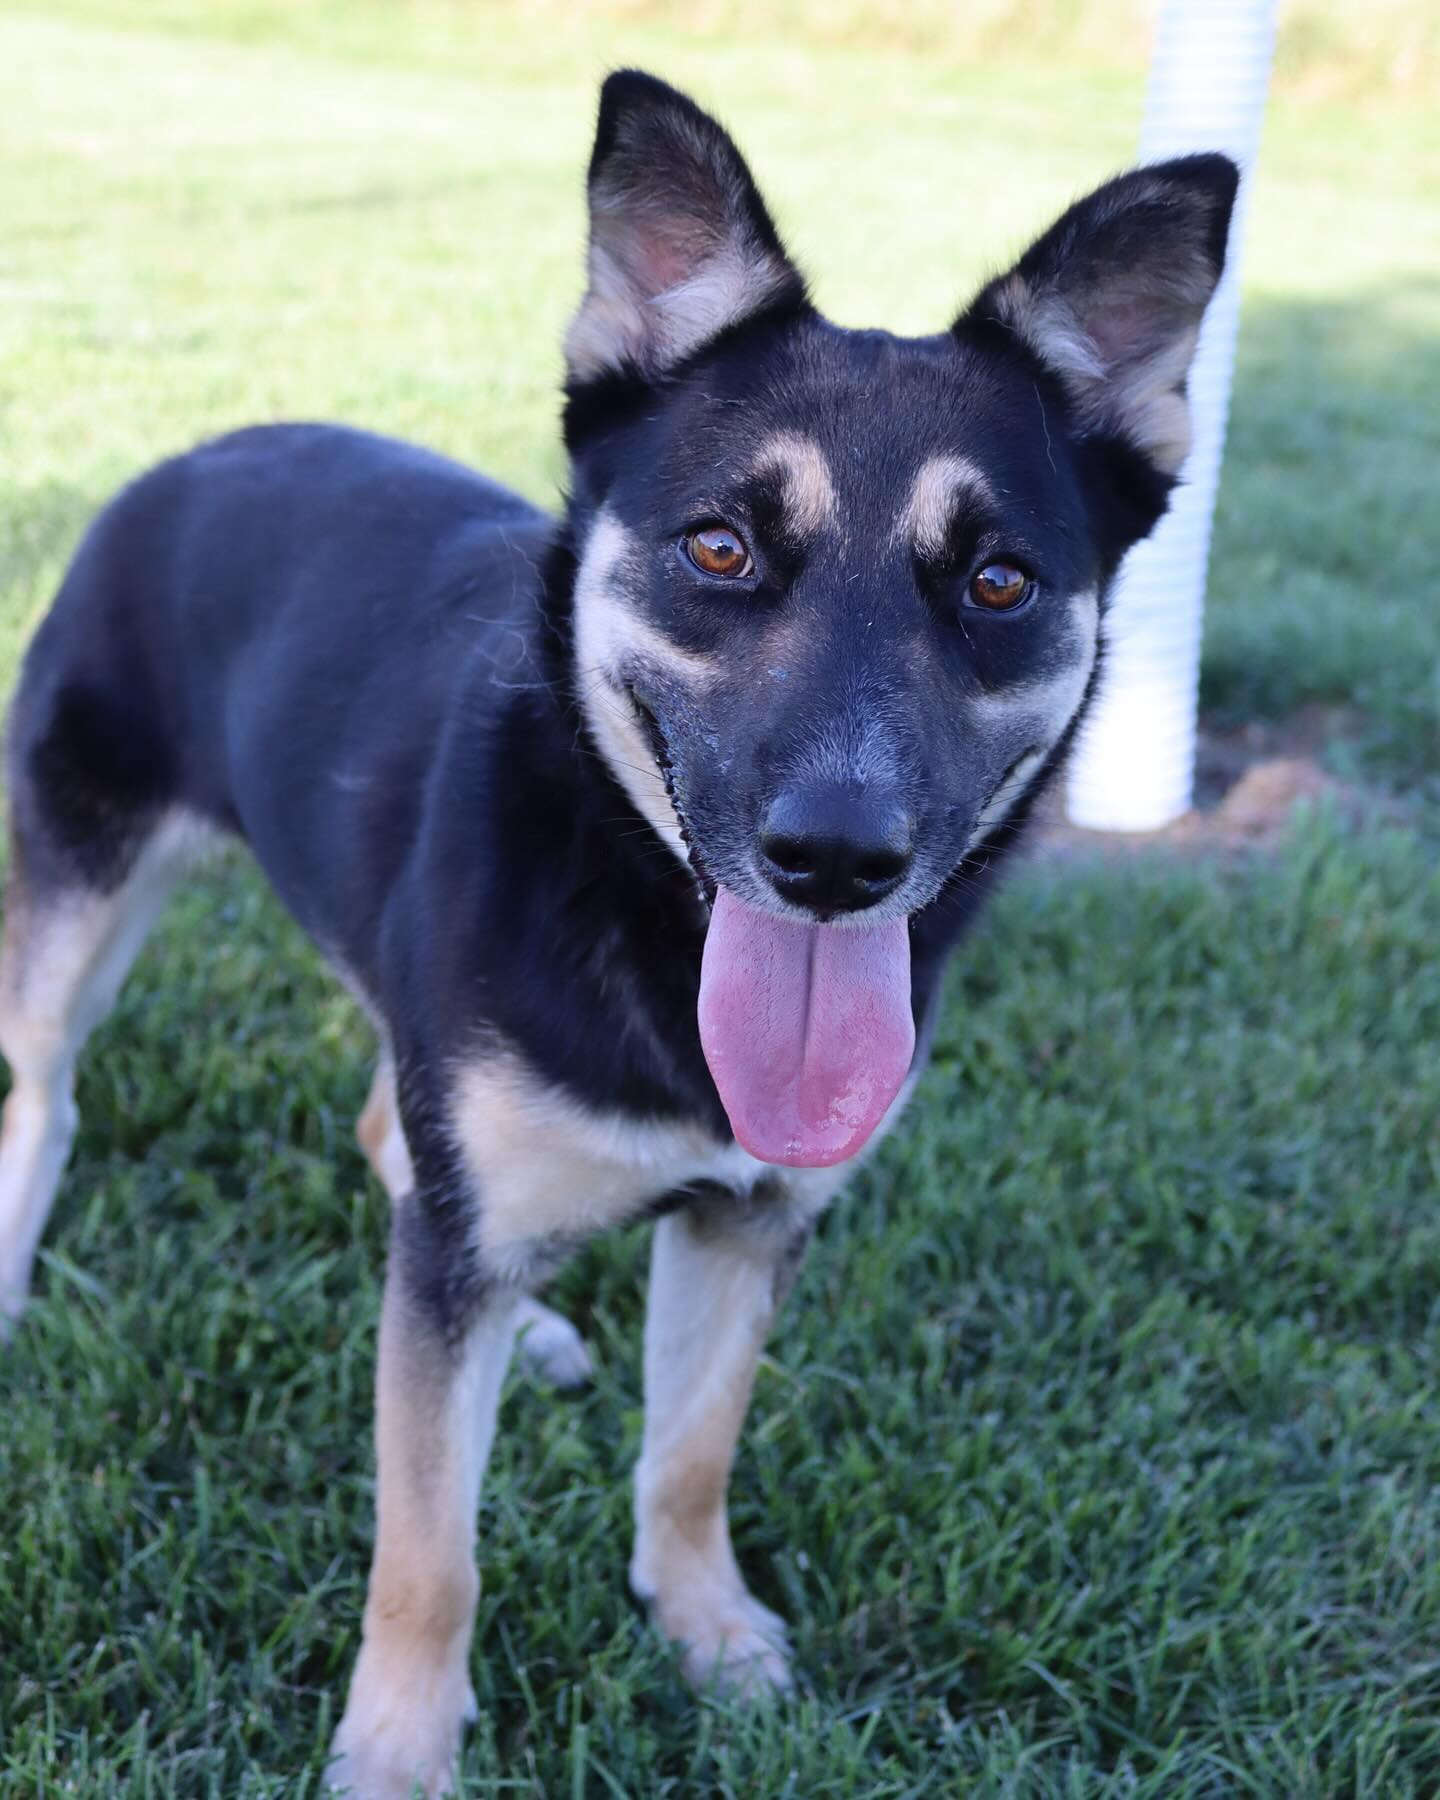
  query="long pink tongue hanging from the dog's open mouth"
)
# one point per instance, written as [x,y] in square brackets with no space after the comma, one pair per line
[807,1030]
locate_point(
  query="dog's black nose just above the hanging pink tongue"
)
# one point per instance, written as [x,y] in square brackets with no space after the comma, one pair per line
[836,852]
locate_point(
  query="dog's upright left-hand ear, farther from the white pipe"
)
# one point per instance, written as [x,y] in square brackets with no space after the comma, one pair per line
[681,244]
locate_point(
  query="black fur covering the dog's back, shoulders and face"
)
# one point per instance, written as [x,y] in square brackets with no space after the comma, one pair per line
[357,658]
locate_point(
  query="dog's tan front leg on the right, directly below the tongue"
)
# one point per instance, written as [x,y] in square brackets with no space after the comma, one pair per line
[717,1277]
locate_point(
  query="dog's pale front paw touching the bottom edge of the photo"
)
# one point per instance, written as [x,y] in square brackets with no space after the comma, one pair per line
[393,1749]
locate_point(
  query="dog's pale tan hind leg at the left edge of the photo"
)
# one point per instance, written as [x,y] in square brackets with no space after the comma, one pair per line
[67,949]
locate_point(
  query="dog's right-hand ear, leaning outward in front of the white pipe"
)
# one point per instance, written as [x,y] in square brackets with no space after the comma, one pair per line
[1111,298]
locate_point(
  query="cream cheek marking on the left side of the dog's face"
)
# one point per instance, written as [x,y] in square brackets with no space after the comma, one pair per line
[607,638]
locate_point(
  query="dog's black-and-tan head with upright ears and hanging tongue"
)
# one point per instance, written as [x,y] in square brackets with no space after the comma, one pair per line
[840,595]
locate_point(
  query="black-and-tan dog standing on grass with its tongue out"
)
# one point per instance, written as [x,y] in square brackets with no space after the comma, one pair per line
[642,834]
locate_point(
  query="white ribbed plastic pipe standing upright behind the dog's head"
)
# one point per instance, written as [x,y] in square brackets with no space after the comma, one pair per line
[1135,764]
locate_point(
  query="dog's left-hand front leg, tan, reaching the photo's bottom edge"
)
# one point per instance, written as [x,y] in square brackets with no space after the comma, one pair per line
[438,1390]
